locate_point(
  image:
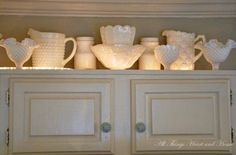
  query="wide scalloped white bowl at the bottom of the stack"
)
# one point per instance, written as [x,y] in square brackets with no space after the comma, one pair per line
[117,57]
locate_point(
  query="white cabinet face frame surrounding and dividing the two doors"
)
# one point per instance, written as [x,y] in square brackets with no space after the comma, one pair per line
[122,102]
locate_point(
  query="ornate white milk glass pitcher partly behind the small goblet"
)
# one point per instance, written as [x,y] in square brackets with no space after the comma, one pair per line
[185,42]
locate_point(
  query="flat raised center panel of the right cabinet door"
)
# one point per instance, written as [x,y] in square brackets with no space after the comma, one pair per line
[200,111]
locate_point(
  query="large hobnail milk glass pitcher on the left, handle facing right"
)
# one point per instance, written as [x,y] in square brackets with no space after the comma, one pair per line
[51,49]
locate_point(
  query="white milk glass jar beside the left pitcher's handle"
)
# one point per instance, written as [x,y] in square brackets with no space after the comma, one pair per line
[84,58]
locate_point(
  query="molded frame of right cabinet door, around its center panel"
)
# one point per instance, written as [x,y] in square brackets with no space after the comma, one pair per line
[155,93]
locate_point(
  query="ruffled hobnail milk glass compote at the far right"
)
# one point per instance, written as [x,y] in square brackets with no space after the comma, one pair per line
[215,52]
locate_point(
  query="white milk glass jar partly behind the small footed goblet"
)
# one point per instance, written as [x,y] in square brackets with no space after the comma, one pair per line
[148,61]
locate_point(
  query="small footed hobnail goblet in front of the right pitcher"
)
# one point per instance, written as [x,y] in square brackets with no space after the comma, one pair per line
[166,55]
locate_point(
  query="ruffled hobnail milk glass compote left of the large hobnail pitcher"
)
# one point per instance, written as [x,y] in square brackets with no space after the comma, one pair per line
[19,52]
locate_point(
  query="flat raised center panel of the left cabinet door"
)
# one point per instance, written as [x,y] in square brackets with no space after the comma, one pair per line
[58,117]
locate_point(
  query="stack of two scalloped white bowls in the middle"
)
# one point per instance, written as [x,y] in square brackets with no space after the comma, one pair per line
[117,51]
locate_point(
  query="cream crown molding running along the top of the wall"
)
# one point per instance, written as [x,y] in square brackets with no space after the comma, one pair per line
[120,8]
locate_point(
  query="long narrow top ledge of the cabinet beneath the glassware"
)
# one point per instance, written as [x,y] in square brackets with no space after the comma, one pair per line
[116,72]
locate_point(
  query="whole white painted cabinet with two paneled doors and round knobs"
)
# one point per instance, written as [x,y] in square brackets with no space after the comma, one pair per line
[117,112]
